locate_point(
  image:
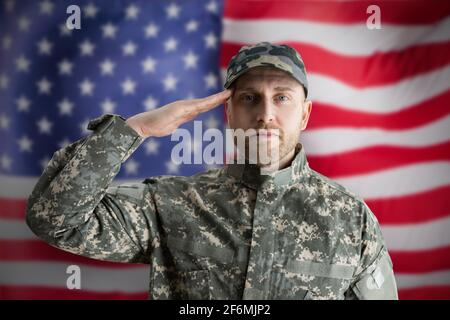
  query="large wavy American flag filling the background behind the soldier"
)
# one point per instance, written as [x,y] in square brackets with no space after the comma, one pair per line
[380,123]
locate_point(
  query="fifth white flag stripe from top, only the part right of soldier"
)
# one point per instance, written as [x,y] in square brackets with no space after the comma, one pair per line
[421,236]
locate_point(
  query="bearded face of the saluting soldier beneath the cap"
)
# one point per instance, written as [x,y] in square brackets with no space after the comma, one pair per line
[268,98]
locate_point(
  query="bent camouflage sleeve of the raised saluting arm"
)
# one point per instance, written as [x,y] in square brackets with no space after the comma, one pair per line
[73,208]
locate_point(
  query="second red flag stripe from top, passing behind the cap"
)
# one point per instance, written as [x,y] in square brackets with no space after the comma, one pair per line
[363,71]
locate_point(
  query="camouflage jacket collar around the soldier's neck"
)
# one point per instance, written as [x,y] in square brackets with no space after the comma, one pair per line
[250,174]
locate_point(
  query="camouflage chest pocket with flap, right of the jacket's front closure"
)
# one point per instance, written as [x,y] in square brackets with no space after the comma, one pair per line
[307,280]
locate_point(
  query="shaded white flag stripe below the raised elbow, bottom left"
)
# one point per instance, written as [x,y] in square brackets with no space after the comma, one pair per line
[54,274]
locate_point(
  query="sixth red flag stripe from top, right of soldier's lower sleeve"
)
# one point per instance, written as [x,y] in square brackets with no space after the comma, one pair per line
[421,261]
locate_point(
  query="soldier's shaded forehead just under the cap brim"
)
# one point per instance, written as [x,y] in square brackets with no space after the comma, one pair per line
[266,76]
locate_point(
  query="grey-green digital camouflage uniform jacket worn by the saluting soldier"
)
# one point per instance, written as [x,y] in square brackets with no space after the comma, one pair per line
[228,233]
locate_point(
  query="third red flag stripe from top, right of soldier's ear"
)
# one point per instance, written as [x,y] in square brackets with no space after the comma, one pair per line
[326,116]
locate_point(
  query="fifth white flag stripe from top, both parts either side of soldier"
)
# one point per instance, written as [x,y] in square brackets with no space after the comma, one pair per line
[404,237]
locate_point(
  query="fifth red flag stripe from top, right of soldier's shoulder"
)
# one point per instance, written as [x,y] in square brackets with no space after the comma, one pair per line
[414,208]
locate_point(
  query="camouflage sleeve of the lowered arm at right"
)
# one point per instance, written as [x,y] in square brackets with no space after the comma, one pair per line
[374,279]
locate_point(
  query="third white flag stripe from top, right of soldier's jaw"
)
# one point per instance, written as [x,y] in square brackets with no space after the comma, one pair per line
[323,142]
